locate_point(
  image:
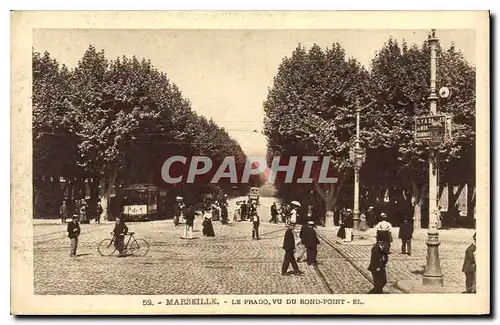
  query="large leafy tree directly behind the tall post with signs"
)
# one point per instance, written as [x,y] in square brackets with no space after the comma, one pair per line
[400,85]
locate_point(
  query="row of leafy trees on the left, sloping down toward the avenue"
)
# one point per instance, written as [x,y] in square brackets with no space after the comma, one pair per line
[109,124]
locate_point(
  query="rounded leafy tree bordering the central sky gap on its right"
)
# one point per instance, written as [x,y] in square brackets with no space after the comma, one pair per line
[311,109]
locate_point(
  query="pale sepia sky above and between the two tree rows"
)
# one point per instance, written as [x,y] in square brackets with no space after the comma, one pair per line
[226,73]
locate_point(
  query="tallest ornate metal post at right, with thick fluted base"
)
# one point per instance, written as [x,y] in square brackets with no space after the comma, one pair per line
[432,274]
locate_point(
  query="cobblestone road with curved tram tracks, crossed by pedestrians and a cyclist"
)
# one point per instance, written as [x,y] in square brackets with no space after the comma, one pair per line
[230,263]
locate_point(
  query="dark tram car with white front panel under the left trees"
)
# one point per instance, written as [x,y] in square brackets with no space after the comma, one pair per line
[143,202]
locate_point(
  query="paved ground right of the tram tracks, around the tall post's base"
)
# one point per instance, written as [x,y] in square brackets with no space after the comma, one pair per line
[406,271]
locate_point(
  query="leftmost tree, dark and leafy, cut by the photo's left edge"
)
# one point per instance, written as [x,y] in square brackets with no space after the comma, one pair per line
[54,147]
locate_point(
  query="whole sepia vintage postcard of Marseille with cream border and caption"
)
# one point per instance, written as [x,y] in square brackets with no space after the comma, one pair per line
[250,163]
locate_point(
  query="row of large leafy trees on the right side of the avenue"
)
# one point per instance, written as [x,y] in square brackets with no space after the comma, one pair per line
[311,107]
